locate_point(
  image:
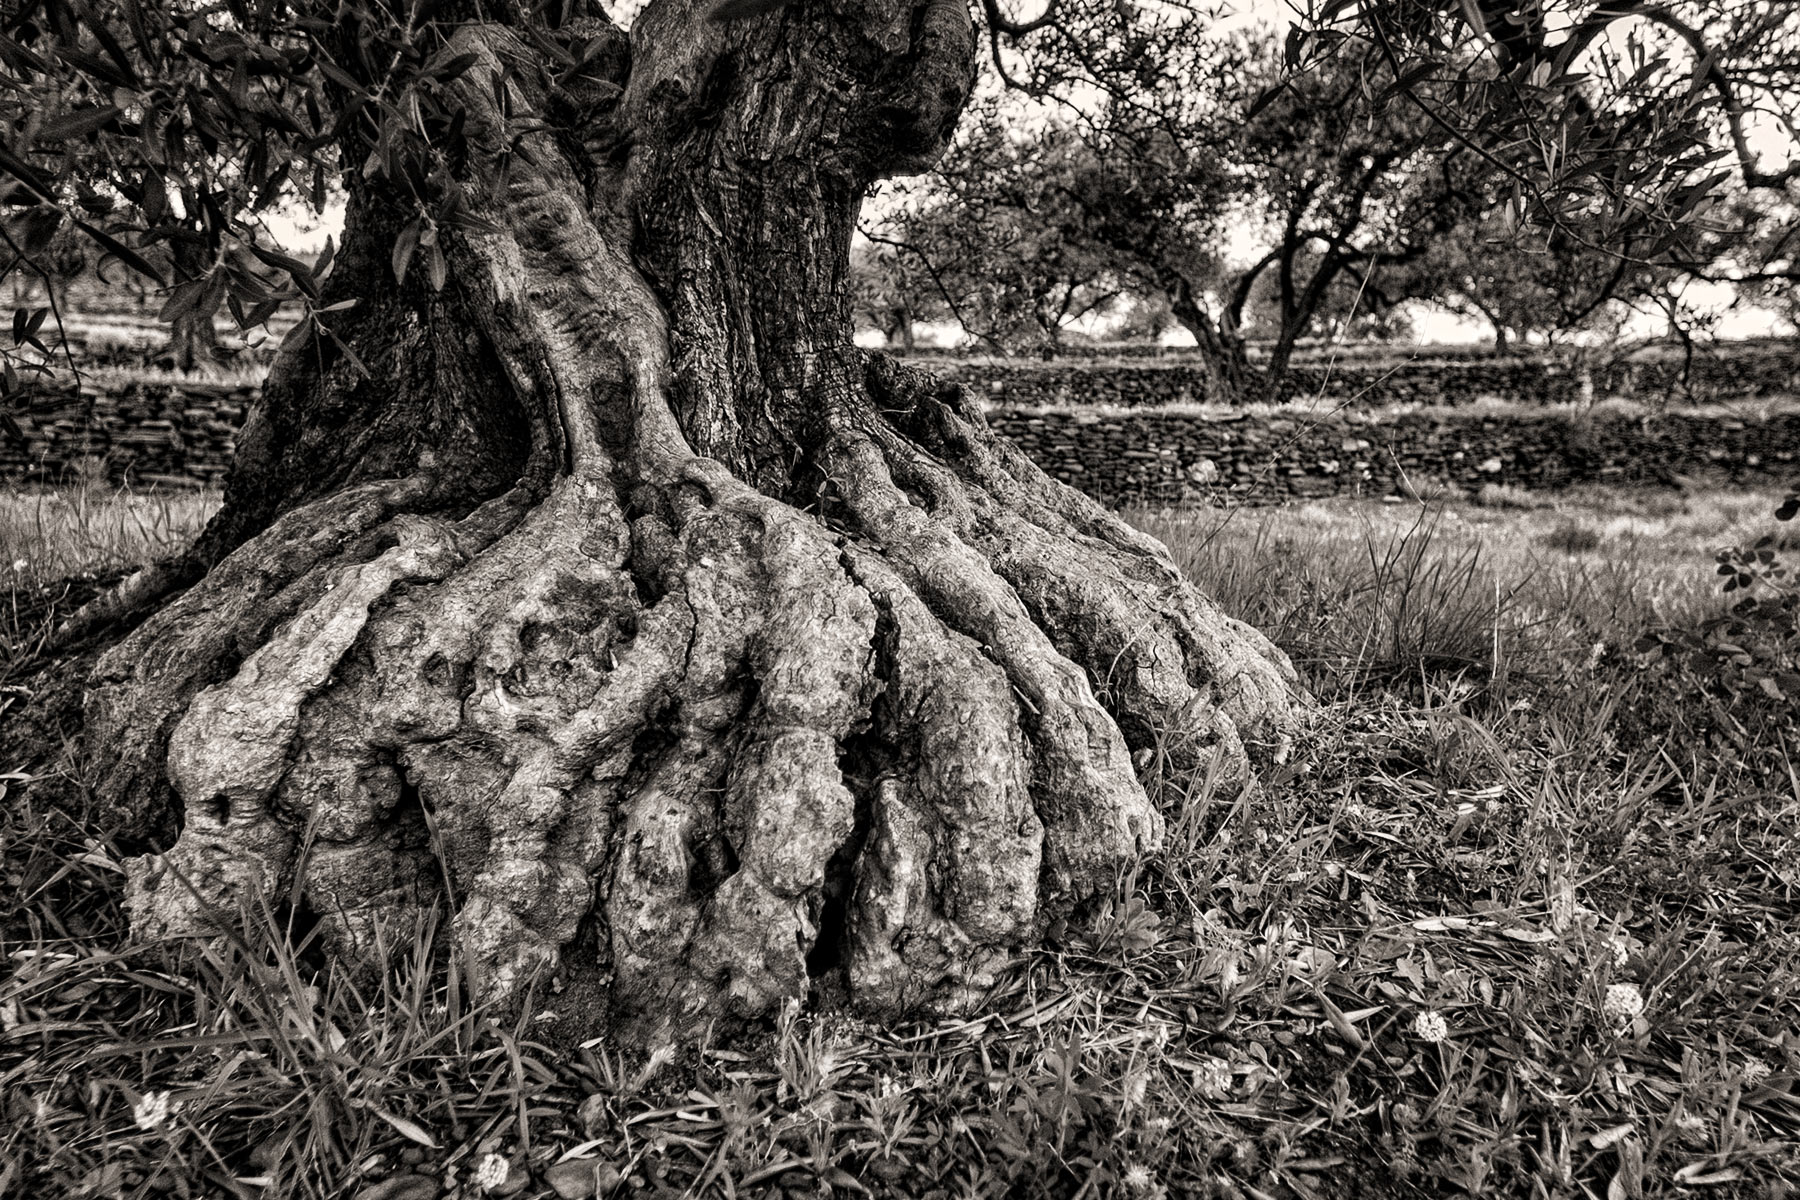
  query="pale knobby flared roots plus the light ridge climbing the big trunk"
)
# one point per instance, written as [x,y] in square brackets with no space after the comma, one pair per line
[681,744]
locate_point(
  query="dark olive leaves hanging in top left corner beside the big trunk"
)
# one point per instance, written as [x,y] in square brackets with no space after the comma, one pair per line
[165,132]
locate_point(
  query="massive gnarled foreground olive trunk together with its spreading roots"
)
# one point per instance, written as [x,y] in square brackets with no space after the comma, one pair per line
[703,659]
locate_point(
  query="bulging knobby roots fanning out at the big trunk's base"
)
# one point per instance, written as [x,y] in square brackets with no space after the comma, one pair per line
[699,760]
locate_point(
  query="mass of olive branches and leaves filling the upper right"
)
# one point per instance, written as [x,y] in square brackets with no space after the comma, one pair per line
[1365,143]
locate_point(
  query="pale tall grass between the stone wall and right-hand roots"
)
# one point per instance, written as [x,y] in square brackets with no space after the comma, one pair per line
[1371,593]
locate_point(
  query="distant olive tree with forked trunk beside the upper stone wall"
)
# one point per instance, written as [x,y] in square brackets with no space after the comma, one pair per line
[1336,179]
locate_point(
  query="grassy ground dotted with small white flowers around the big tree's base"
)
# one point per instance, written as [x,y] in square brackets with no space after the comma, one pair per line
[1518,918]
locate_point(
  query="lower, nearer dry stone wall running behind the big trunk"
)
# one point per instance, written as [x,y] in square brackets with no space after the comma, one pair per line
[179,433]
